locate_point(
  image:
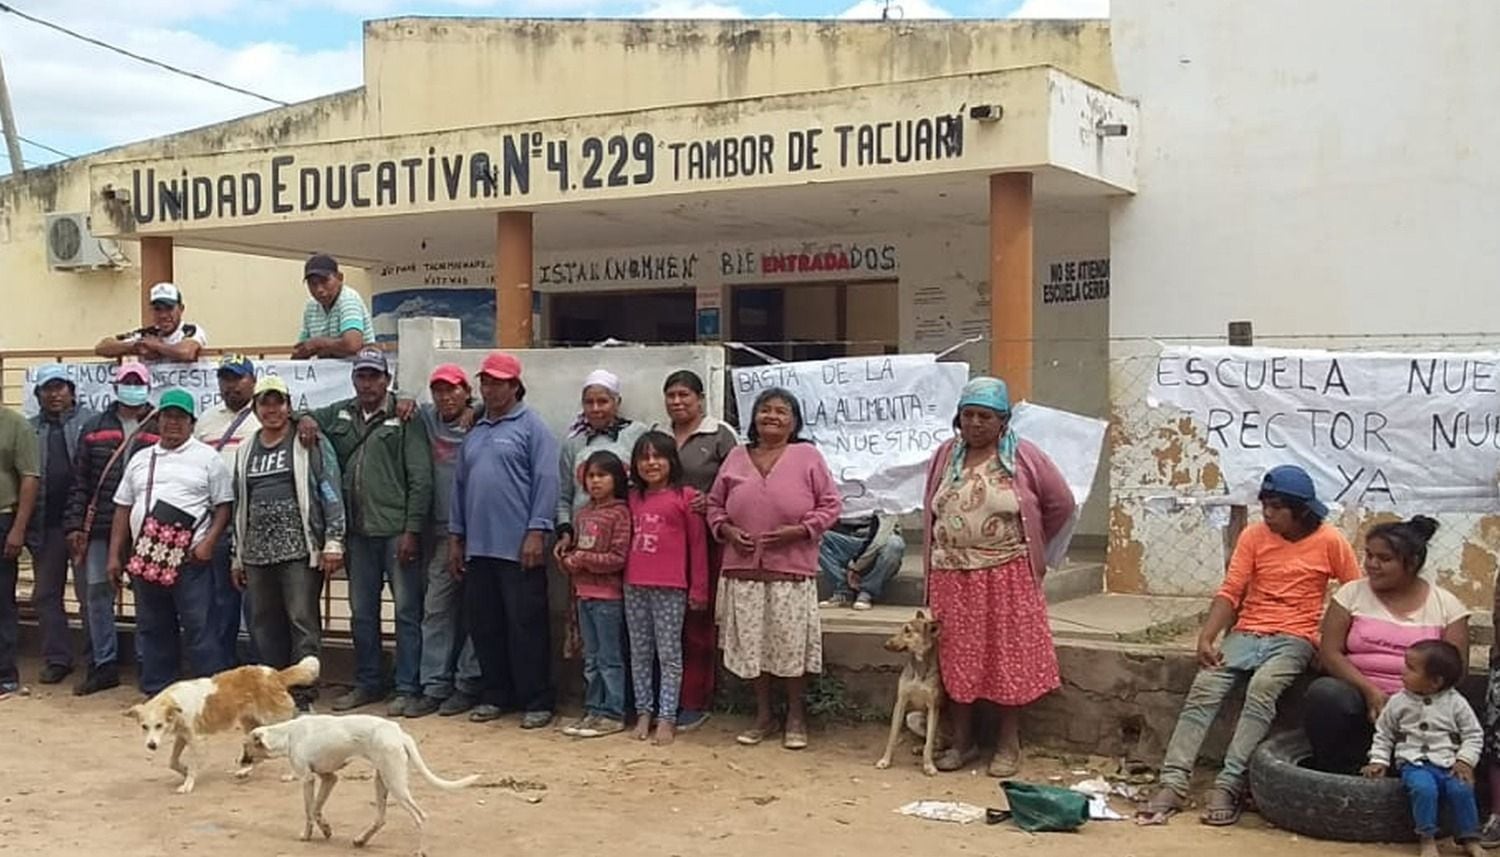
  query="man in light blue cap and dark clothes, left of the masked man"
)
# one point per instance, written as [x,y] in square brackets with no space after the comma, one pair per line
[59,427]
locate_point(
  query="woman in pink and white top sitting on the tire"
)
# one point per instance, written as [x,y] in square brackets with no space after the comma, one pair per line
[1367,631]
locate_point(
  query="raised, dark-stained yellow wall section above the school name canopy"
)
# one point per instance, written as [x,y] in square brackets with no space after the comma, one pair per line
[499,71]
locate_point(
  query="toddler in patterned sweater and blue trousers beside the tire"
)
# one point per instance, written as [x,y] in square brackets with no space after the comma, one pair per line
[1436,741]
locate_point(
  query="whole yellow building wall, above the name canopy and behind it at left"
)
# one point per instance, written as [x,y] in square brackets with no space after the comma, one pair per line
[431,74]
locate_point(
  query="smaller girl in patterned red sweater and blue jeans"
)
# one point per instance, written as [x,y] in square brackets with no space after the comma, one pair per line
[595,562]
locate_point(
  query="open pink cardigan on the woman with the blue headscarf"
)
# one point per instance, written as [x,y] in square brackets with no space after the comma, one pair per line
[1040,487]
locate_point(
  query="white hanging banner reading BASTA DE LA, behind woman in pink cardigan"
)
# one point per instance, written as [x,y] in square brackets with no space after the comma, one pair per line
[878,421]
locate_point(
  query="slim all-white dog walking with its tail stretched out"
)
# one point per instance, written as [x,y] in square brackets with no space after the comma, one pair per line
[319,747]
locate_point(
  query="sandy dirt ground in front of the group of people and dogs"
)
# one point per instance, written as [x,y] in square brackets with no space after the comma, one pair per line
[76,778]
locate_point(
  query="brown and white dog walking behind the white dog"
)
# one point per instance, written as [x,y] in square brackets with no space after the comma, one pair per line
[244,699]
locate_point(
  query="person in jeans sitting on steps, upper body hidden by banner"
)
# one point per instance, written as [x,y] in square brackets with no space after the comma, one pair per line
[859,558]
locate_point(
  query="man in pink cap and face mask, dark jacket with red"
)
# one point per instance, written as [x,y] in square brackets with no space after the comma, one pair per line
[106,445]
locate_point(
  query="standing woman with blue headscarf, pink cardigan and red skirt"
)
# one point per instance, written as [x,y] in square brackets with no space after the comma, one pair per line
[995,504]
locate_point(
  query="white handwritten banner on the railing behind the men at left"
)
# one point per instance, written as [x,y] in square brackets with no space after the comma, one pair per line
[313,383]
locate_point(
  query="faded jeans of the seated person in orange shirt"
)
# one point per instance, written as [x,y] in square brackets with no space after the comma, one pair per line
[1270,663]
